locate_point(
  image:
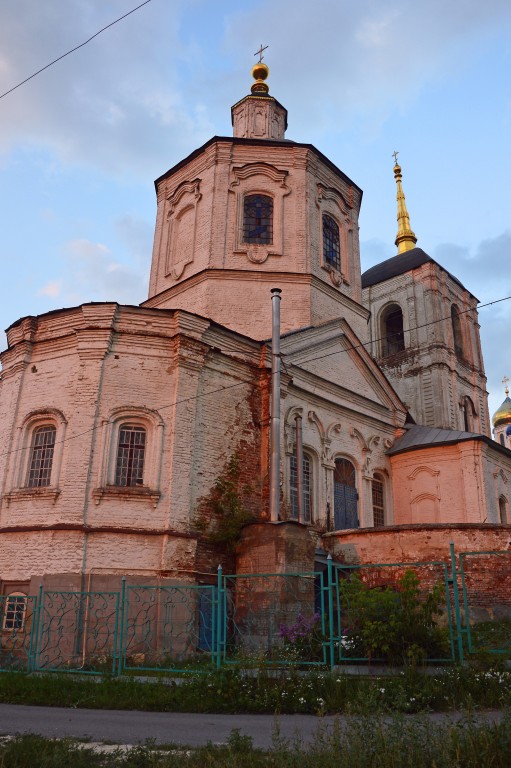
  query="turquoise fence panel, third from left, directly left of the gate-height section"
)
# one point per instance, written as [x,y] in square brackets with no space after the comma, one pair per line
[169,627]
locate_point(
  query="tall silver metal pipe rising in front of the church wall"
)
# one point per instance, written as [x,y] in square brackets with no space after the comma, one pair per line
[275,407]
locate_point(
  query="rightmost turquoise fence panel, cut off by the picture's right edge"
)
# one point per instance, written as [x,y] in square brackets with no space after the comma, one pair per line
[486,606]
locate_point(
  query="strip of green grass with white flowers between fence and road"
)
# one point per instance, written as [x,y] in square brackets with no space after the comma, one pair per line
[231,691]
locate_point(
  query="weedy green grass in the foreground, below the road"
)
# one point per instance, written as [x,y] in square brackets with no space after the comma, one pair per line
[364,743]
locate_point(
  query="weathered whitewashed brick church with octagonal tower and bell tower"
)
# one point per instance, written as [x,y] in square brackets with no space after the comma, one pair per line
[122,426]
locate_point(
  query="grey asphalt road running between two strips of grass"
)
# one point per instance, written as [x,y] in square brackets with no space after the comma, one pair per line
[130,727]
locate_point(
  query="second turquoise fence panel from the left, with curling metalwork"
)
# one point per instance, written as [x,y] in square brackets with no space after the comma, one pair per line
[77,632]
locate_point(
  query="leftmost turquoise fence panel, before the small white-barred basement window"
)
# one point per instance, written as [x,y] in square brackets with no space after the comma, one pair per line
[17,623]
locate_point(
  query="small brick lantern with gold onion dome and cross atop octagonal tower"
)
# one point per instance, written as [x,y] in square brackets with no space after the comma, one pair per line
[259,115]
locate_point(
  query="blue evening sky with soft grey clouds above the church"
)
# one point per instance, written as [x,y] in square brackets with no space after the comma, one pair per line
[81,143]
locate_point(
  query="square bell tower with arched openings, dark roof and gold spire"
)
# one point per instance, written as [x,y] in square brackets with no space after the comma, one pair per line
[425,333]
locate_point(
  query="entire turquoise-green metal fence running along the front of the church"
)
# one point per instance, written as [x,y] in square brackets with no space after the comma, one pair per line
[427,612]
